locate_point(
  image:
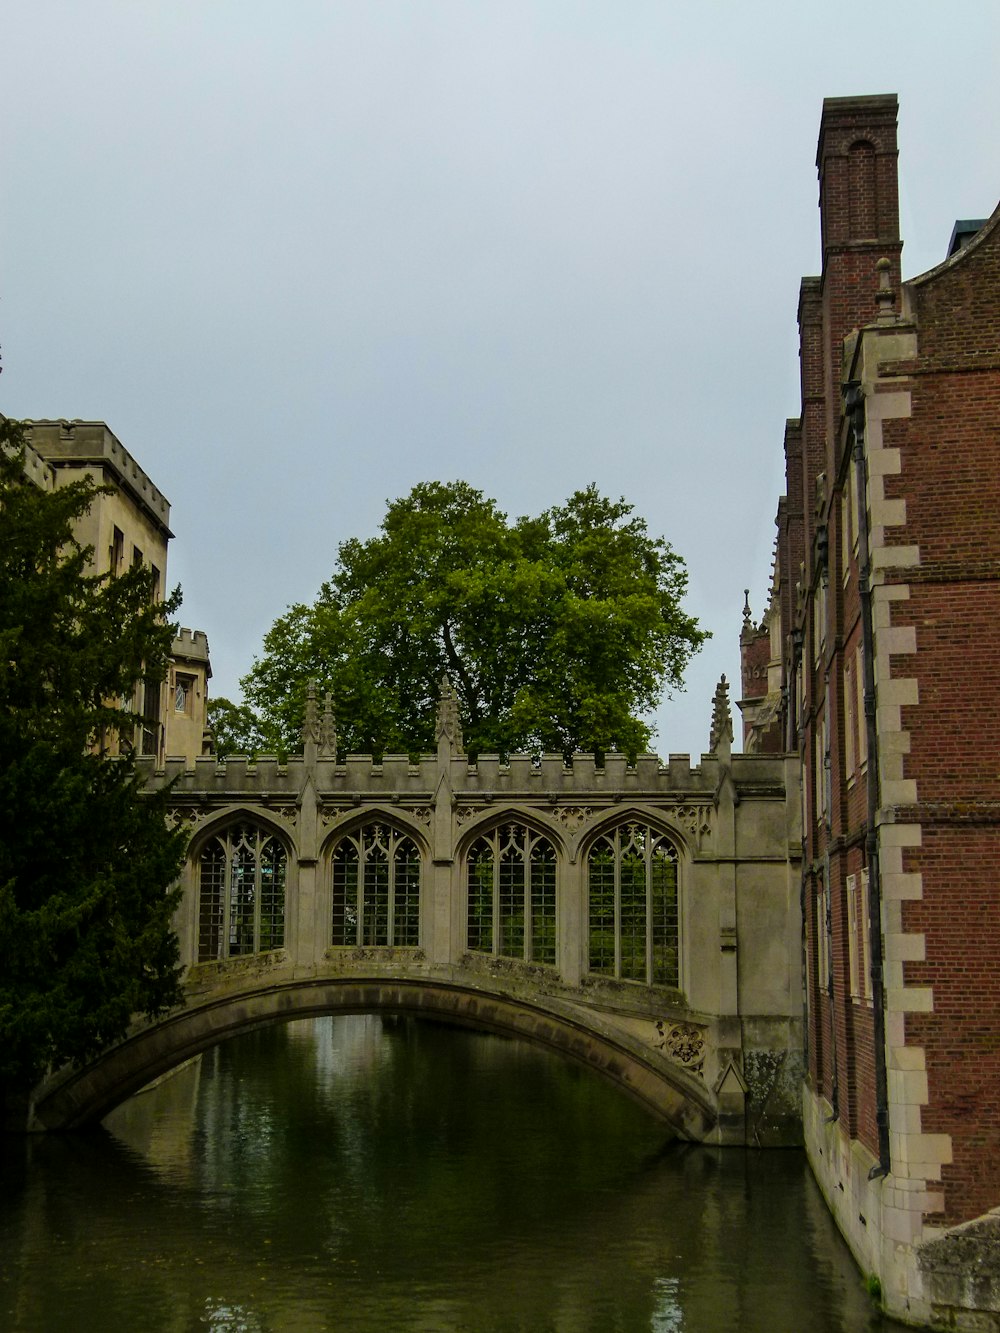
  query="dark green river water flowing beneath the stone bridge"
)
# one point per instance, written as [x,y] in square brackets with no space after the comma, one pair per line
[378,1175]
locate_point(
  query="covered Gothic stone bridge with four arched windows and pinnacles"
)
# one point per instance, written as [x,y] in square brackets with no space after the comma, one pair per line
[642,919]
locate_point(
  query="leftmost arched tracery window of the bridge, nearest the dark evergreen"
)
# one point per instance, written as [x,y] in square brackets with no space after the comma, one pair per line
[242,894]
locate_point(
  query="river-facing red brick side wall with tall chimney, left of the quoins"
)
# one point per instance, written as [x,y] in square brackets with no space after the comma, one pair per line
[859,217]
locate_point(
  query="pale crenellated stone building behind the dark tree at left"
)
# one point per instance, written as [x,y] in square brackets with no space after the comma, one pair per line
[126,527]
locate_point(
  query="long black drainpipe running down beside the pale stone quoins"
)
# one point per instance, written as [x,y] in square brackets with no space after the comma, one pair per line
[855,407]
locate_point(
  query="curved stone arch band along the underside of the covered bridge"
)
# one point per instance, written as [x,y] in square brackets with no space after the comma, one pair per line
[79,1098]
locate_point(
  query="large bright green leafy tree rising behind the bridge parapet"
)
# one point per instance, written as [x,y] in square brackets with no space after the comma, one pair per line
[558,633]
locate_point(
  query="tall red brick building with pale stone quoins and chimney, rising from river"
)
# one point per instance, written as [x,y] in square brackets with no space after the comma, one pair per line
[881,645]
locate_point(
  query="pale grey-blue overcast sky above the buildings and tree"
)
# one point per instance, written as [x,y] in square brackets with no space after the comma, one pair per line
[303,255]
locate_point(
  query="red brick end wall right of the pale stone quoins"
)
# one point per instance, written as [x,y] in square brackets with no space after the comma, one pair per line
[950,451]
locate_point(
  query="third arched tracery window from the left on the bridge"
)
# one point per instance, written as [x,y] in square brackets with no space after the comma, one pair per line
[513,895]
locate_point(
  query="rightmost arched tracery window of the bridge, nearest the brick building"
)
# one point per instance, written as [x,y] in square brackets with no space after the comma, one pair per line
[633,894]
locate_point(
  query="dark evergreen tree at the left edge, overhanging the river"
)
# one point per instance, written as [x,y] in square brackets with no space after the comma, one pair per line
[87,860]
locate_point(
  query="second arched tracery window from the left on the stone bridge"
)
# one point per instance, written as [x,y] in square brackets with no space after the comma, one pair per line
[377,888]
